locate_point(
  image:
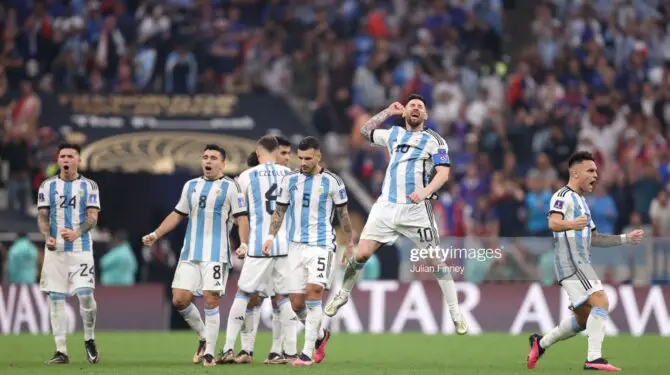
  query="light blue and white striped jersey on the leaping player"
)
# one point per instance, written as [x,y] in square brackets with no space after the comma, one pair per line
[414,155]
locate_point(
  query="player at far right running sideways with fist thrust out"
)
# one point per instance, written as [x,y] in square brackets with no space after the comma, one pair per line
[574,234]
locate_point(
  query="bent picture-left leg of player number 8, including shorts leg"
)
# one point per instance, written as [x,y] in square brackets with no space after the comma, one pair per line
[186,281]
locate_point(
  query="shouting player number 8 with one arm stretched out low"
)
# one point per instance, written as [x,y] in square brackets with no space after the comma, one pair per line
[211,203]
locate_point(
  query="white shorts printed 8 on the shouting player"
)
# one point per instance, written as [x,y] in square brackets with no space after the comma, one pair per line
[197,277]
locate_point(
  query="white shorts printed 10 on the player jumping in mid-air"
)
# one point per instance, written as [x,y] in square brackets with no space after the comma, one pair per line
[387,221]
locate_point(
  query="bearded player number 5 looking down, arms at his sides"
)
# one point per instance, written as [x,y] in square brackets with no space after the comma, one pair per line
[310,196]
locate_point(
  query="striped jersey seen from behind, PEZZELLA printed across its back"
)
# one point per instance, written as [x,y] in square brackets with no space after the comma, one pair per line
[260,185]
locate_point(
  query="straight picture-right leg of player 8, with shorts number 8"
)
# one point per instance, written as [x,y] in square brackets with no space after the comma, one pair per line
[214,279]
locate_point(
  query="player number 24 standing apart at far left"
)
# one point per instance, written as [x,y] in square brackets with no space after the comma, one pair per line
[68,206]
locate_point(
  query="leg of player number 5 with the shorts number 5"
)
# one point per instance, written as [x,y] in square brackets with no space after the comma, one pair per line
[317,263]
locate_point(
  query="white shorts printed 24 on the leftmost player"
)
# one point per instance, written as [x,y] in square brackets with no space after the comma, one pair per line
[65,272]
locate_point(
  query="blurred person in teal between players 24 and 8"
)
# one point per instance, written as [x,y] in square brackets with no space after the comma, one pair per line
[118,266]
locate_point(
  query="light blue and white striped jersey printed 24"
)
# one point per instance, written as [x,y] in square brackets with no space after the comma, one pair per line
[67,202]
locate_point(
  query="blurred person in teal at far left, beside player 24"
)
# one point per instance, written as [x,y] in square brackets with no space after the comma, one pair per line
[22,262]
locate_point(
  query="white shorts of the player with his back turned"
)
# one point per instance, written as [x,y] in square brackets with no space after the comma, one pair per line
[266,276]
